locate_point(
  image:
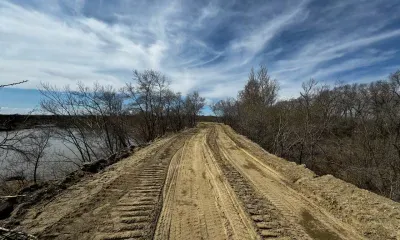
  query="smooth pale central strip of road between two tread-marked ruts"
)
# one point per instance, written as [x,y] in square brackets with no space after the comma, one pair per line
[198,205]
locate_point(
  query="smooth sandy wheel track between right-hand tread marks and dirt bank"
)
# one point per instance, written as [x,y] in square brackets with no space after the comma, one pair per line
[302,214]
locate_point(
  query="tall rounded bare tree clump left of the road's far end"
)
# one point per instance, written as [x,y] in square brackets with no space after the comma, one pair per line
[157,107]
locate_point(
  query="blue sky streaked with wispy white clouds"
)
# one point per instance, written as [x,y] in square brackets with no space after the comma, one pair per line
[200,45]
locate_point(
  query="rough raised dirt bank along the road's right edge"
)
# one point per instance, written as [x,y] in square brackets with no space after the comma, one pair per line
[373,216]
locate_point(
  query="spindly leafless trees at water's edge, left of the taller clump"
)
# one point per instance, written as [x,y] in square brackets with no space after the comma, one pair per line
[90,120]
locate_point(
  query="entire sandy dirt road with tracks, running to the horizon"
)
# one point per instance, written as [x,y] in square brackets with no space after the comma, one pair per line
[211,183]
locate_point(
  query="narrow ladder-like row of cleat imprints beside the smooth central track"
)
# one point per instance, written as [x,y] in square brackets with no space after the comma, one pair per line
[136,213]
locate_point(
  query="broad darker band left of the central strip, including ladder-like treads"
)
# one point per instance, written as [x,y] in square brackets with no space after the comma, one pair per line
[127,208]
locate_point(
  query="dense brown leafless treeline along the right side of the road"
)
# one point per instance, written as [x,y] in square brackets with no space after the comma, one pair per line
[351,131]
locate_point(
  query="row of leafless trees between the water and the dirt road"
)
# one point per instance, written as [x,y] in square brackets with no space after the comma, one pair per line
[100,120]
